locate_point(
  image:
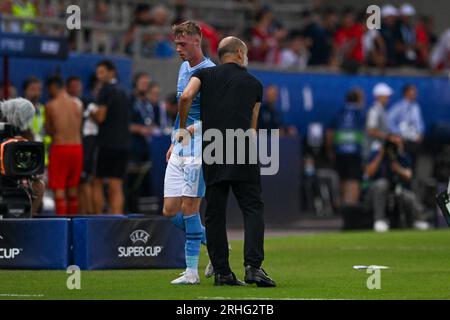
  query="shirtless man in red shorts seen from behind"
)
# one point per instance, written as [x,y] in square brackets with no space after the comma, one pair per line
[63,123]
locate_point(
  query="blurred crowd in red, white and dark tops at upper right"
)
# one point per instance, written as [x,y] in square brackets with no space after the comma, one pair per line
[341,39]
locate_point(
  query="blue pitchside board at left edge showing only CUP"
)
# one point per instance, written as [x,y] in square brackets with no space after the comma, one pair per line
[34,243]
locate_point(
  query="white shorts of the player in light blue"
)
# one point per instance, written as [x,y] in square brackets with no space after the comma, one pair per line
[184,177]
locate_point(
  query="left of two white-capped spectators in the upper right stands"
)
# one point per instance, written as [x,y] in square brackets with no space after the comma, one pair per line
[389,15]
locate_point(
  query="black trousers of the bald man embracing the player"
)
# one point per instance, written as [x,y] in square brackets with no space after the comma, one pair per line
[248,196]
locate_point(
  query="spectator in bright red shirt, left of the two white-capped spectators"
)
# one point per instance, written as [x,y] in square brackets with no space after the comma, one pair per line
[348,42]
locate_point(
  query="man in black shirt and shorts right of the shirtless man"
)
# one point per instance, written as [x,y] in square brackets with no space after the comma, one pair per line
[113,116]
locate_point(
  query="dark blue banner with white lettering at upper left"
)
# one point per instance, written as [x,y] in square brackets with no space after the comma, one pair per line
[24,45]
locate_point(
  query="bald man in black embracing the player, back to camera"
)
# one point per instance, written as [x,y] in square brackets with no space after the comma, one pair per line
[230,102]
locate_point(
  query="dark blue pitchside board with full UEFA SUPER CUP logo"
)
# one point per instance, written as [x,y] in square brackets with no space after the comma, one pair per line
[129,243]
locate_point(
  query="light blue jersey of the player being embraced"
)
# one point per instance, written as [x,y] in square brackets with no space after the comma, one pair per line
[194,148]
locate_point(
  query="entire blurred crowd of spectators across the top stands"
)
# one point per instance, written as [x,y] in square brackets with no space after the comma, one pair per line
[325,36]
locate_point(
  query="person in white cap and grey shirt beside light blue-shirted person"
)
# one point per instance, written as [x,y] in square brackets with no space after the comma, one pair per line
[376,124]
